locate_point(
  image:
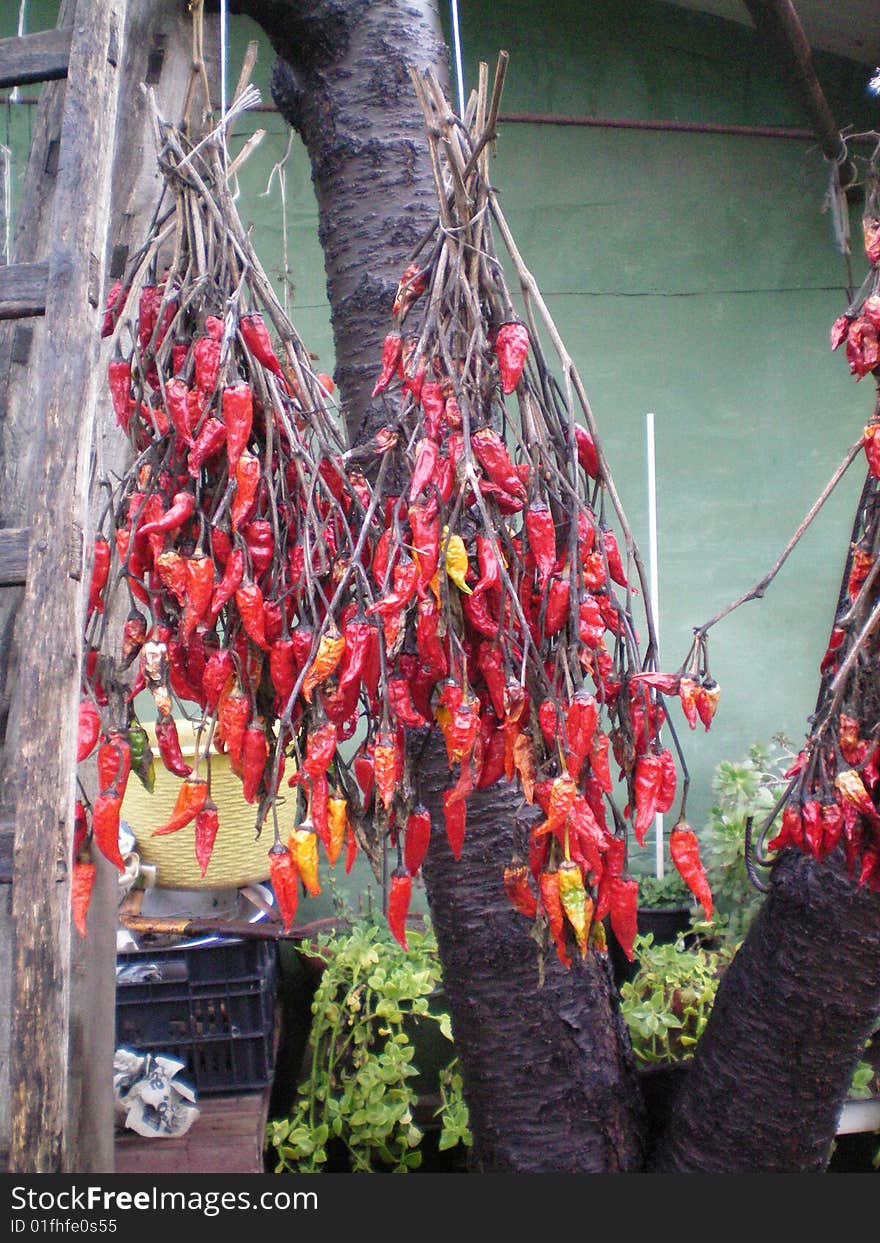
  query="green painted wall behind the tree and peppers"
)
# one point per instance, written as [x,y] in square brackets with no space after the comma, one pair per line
[690,275]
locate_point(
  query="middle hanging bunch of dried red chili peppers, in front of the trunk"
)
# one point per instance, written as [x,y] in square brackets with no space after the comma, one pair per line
[504,596]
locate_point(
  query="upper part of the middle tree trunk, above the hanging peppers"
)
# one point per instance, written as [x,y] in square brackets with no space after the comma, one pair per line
[342,84]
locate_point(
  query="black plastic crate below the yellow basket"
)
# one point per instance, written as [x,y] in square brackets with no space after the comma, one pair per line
[212,1006]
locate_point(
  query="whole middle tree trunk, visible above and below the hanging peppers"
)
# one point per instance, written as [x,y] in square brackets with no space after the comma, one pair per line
[549,1072]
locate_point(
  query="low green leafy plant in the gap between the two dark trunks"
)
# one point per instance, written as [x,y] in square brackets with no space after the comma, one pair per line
[668,1002]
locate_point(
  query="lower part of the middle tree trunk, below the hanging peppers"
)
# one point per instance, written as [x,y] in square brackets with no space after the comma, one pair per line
[549,1072]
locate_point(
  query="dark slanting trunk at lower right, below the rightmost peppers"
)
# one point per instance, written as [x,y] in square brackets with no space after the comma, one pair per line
[772,1071]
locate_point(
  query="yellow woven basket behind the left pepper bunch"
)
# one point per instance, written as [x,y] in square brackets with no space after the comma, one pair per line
[239,857]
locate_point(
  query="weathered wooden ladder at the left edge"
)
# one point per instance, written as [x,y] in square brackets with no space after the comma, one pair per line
[45,561]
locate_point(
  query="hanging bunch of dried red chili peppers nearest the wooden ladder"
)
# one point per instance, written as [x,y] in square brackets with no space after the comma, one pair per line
[229,589]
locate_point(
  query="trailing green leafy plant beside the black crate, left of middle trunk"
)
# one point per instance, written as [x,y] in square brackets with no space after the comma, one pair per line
[375,1001]
